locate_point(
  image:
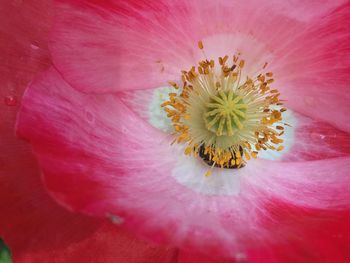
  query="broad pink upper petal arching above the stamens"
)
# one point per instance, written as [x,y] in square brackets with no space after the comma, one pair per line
[138,46]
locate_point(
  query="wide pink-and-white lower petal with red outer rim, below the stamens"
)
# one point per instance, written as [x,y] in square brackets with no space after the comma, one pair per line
[98,157]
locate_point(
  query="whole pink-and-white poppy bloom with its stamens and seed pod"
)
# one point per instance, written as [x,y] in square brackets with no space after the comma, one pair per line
[211,166]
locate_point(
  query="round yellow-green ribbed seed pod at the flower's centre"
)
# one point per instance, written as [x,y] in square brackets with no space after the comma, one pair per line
[225,113]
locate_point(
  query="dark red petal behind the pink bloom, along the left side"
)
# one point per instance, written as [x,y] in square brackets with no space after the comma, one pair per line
[34,226]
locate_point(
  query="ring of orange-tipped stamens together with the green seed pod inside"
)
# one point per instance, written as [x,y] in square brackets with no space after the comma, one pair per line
[224,116]
